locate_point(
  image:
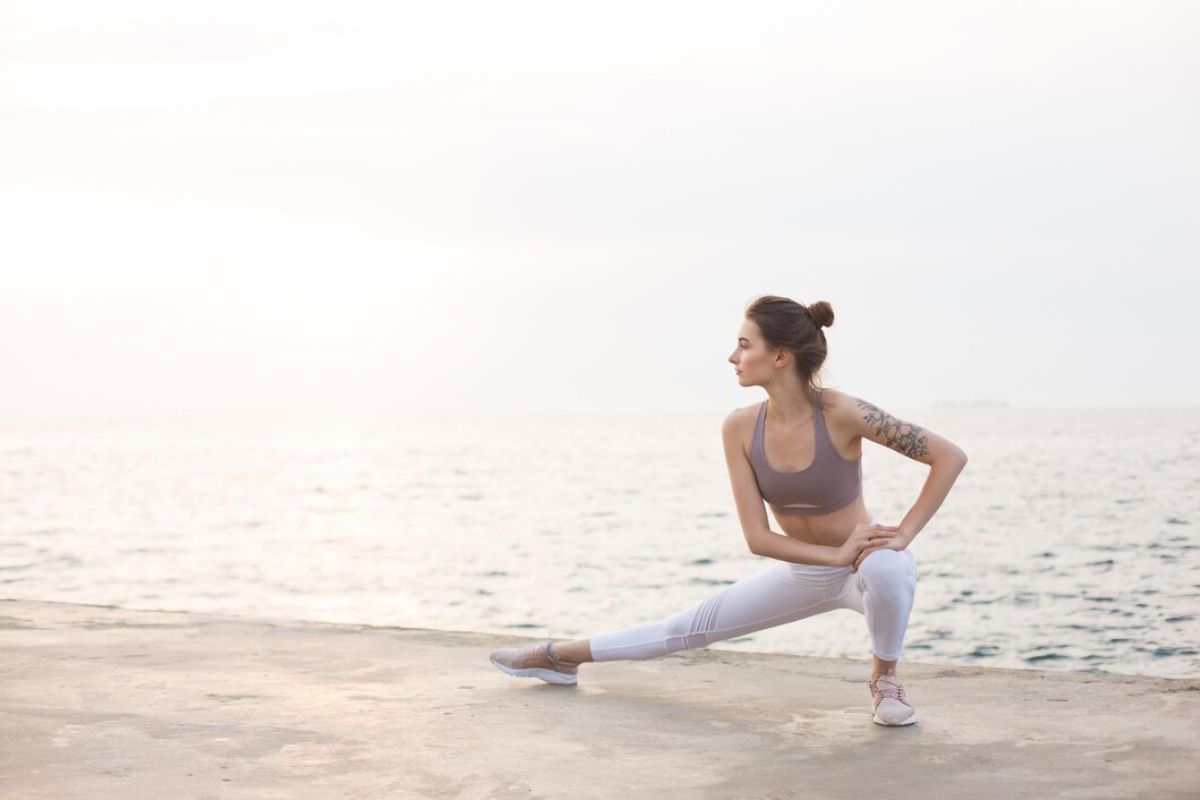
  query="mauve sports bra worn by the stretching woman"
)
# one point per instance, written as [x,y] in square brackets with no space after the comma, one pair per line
[829,484]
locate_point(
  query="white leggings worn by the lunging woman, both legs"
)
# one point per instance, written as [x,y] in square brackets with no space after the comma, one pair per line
[883,591]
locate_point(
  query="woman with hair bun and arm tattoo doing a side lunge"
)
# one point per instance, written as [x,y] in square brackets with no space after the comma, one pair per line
[801,452]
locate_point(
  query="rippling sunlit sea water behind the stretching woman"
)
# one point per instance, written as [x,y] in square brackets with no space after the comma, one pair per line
[1071,542]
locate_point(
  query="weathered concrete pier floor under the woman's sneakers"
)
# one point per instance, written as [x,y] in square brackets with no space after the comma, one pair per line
[98,702]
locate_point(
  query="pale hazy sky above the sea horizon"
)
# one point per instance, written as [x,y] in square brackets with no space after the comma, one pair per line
[463,207]
